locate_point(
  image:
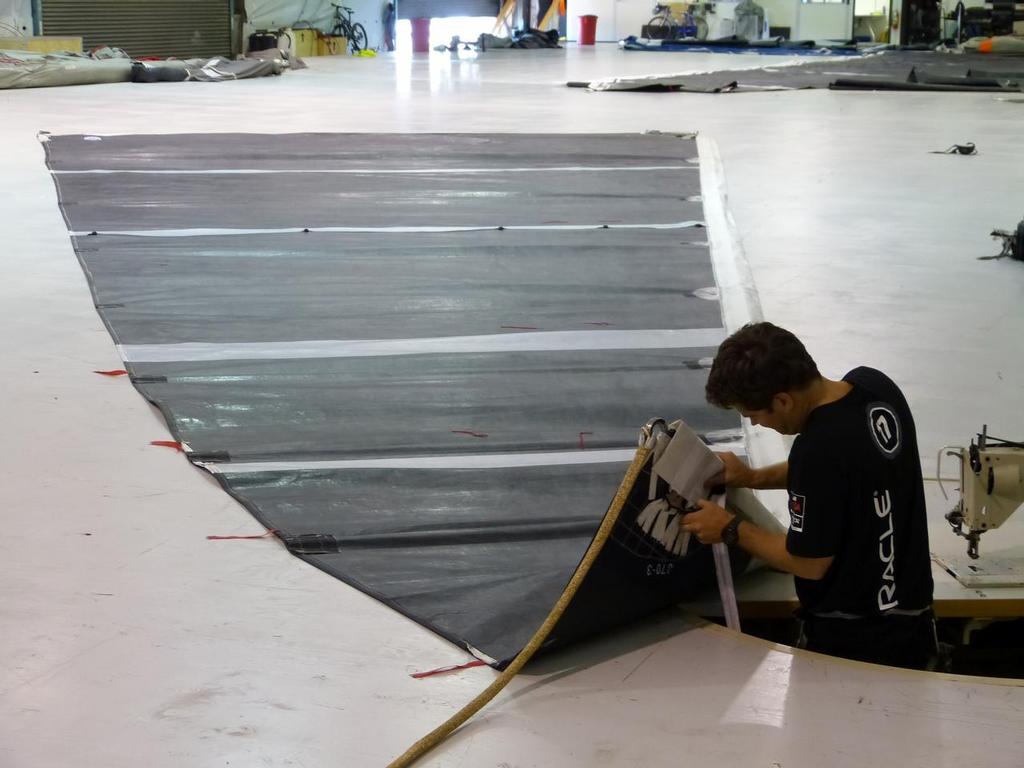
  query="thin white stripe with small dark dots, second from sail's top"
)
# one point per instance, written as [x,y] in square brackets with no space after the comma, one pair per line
[220,232]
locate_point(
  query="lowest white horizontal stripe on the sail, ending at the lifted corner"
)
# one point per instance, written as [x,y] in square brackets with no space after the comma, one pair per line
[465,461]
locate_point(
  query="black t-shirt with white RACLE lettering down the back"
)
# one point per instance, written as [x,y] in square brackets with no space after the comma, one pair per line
[857,495]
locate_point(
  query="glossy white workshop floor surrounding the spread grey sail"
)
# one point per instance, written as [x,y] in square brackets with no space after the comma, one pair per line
[127,639]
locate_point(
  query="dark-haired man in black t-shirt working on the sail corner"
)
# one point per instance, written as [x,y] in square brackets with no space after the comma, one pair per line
[859,539]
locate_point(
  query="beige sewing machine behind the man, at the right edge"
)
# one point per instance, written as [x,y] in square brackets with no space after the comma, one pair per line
[992,487]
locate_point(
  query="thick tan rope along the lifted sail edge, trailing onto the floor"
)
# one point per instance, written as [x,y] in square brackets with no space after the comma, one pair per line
[443,732]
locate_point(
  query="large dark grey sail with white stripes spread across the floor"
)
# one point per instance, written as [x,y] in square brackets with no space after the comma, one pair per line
[380,451]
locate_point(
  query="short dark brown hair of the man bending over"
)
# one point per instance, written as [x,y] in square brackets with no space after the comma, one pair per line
[756,364]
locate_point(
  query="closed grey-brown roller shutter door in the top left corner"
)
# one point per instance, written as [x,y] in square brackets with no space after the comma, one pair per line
[185,29]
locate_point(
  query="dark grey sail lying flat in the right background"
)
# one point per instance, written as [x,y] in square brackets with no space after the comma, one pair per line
[889,71]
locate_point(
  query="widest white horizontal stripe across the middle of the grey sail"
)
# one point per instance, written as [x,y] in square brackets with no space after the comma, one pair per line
[543,342]
